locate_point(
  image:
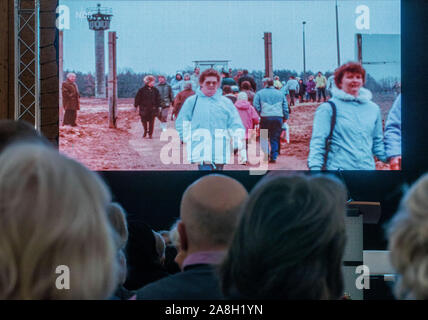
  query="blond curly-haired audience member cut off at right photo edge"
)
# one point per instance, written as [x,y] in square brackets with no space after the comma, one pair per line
[408,243]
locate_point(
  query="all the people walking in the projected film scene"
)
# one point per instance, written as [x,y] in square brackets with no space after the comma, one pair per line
[347,131]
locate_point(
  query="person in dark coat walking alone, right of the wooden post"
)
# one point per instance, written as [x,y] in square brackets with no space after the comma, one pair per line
[148,101]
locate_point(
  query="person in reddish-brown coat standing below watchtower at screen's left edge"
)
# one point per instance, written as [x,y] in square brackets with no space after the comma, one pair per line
[70,98]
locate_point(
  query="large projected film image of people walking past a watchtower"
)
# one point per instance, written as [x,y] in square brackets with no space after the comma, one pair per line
[231,85]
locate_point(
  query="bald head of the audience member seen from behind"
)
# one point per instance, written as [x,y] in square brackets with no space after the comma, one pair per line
[210,210]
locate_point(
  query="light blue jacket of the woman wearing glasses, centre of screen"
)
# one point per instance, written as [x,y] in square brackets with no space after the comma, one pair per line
[208,127]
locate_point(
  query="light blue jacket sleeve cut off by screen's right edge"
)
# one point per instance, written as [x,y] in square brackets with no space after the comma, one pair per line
[393,130]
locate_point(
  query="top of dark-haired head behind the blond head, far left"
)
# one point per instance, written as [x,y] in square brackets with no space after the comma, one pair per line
[13,131]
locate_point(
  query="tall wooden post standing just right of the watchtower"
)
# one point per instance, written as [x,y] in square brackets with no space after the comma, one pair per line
[112,79]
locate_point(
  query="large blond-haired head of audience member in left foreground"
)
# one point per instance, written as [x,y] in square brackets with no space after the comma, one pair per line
[54,231]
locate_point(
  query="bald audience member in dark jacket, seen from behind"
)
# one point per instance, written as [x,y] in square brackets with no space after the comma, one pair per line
[209,211]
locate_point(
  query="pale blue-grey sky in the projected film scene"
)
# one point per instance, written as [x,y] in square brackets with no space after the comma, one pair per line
[166,36]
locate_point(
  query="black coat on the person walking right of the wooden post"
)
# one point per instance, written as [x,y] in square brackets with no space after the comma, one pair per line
[148,101]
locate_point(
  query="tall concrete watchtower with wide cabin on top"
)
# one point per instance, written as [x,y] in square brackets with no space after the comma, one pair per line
[99,21]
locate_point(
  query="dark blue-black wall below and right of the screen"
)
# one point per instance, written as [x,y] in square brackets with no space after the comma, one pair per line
[154,196]
